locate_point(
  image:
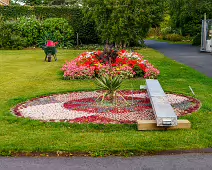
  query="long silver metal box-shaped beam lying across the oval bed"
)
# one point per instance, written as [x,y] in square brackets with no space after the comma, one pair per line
[164,113]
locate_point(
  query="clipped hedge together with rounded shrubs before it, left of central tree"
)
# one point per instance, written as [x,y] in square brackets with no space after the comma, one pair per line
[31,26]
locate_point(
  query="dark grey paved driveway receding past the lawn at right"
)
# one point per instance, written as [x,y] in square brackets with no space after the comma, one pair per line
[186,54]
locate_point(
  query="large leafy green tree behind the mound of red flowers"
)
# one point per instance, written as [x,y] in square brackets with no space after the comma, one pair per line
[124,22]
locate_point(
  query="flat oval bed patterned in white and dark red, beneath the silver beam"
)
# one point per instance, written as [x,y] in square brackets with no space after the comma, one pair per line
[83,107]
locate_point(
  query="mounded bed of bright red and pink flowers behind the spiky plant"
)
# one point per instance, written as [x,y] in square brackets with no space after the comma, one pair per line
[123,63]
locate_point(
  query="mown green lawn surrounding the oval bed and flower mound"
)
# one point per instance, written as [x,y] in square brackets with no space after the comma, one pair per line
[24,75]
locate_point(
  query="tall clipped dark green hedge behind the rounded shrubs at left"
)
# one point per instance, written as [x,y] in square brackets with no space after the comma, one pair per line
[84,26]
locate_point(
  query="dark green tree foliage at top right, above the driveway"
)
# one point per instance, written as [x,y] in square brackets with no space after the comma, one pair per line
[186,15]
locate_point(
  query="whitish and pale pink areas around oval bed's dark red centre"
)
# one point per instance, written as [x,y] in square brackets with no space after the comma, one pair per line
[51,108]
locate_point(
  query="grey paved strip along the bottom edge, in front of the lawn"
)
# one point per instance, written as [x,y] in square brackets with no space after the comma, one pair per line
[160,162]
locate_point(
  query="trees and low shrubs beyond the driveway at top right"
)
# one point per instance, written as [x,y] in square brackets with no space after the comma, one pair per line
[183,18]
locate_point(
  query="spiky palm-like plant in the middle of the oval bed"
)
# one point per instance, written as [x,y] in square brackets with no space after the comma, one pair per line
[111,85]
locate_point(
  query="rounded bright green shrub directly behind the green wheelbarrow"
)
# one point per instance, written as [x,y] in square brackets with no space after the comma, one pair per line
[57,29]
